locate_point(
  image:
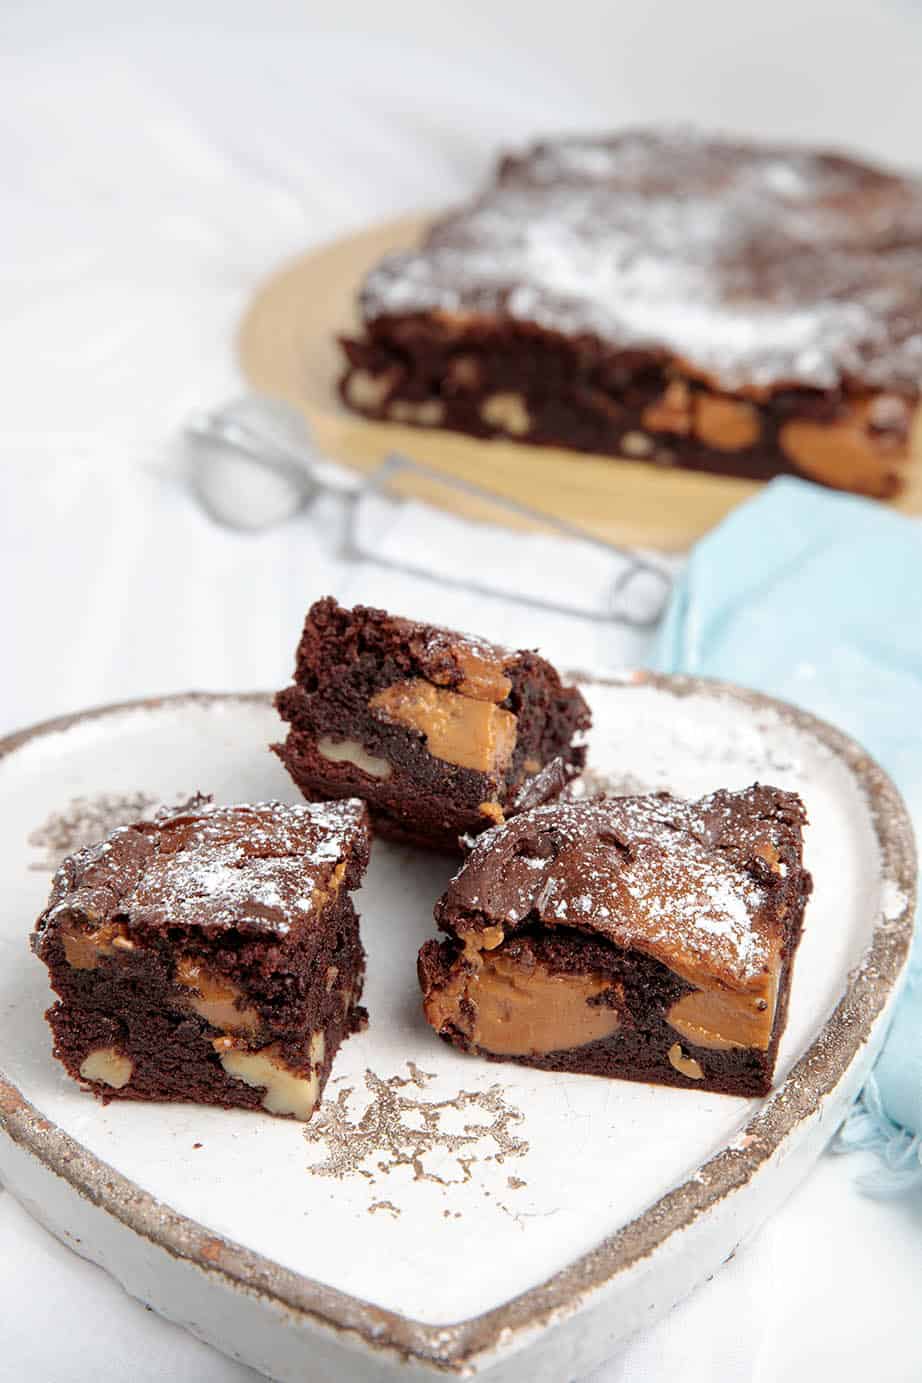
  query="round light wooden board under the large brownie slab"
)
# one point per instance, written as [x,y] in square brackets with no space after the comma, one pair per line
[288,351]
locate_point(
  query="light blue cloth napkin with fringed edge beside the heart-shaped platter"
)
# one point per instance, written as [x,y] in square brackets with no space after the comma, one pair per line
[818,598]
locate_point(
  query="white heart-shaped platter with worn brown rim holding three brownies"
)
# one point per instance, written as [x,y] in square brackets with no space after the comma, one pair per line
[440,1216]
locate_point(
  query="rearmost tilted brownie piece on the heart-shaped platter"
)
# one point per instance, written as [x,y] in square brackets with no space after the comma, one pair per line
[440,732]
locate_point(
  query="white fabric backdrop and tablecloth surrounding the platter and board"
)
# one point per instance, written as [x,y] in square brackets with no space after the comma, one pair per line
[154,167]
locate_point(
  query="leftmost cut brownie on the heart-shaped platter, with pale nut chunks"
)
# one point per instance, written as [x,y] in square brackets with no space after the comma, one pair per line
[212,955]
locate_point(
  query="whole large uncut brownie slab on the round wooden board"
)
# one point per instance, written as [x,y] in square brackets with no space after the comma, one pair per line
[693,302]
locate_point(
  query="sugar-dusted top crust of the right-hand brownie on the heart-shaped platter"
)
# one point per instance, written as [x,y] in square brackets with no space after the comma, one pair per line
[695,884]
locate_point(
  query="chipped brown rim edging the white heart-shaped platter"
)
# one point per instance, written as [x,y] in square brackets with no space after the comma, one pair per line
[457,1348]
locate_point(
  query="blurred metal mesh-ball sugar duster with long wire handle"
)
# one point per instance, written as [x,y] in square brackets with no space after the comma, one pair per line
[255,464]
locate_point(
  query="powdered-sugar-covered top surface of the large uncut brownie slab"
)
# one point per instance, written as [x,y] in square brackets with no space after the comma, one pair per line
[757,266]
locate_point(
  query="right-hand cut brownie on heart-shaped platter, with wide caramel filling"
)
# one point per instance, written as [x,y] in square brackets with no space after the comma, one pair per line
[645,938]
